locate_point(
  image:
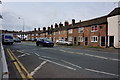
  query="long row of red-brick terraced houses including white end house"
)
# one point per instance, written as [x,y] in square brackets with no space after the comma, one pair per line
[102,31]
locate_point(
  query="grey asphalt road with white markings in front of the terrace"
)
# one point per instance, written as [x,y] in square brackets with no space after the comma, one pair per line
[63,62]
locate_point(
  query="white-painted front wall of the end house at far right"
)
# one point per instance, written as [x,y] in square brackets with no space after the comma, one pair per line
[114,29]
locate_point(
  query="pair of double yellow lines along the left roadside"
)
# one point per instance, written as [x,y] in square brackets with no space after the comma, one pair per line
[21,69]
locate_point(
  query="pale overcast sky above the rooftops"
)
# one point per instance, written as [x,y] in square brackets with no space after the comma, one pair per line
[44,14]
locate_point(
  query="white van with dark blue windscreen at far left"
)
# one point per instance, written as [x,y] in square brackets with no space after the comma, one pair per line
[7,39]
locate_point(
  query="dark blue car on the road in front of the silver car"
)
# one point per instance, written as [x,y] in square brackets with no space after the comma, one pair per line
[44,42]
